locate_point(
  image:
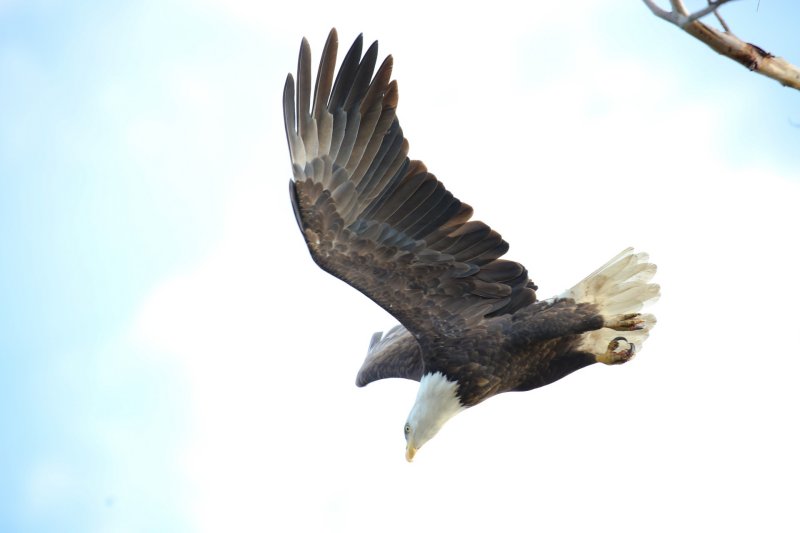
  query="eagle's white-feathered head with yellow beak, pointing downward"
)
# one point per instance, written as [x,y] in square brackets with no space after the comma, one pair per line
[437,402]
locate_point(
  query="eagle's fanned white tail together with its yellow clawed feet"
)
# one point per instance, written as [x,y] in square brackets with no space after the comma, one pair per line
[620,289]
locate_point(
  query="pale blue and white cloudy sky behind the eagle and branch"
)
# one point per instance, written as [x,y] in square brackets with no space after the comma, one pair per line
[172,360]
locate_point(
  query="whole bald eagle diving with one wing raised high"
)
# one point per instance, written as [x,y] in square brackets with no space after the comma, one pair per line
[471,325]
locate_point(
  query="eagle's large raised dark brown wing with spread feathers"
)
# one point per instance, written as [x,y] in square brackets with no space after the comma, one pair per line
[378,220]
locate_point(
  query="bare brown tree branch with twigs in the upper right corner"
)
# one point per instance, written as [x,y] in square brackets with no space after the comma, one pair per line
[726,43]
